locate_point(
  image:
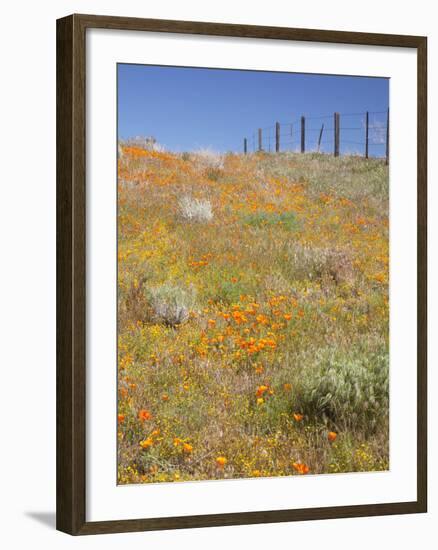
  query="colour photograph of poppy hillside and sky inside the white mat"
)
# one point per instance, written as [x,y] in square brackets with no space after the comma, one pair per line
[252,274]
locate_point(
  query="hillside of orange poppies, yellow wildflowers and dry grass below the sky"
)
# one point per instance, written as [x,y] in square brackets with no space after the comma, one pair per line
[253,315]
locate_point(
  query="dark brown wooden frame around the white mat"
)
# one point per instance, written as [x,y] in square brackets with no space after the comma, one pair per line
[71,266]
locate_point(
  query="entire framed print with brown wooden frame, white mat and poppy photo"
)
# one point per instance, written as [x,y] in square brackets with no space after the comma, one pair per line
[241,274]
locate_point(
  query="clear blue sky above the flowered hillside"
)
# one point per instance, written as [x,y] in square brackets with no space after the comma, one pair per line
[190,108]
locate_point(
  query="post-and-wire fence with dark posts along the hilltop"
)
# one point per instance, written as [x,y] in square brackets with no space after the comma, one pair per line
[365,134]
